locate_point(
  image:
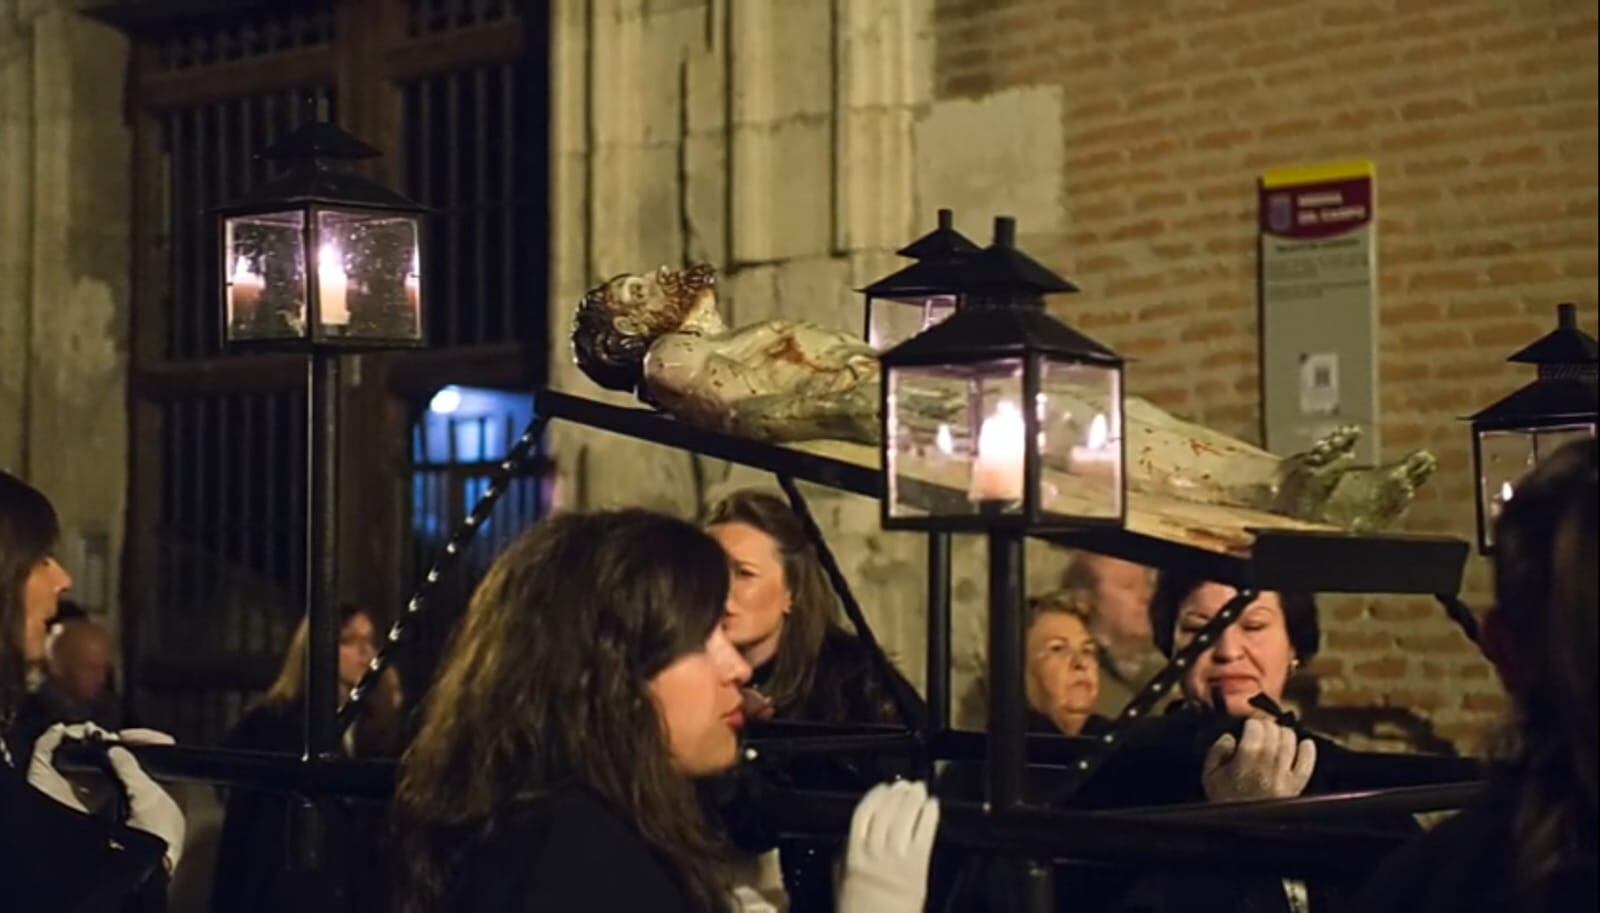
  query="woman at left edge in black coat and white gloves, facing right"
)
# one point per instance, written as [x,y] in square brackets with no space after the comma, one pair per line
[54,855]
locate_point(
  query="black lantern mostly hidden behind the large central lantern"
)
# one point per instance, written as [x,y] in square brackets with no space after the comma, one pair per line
[922,295]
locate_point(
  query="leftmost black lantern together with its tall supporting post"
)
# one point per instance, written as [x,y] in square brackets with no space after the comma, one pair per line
[321,261]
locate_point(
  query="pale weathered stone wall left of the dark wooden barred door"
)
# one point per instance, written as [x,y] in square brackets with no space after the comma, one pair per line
[65,277]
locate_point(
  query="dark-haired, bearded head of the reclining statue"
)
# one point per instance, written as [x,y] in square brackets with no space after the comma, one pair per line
[620,319]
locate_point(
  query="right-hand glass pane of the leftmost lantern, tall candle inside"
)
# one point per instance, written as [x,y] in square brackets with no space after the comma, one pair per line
[369,279]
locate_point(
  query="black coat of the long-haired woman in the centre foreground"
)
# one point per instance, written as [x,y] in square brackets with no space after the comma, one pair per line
[567,851]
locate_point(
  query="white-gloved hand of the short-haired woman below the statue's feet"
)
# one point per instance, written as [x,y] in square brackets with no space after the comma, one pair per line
[1268,762]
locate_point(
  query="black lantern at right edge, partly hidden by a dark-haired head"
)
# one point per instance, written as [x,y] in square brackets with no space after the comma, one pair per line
[1518,433]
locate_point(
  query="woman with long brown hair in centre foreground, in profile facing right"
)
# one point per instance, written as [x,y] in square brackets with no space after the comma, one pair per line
[588,687]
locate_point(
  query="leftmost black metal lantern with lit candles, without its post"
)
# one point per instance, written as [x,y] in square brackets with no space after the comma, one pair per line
[322,258]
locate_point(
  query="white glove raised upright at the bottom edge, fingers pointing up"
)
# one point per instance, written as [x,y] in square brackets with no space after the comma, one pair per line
[890,845]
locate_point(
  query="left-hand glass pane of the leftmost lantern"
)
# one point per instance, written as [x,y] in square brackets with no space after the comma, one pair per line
[265,284]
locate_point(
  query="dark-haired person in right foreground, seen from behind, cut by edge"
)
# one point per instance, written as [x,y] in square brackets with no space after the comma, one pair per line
[1530,842]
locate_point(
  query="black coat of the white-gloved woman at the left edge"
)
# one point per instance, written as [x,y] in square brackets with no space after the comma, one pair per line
[58,861]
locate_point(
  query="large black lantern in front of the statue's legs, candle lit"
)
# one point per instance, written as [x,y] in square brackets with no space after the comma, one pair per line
[1002,418]
